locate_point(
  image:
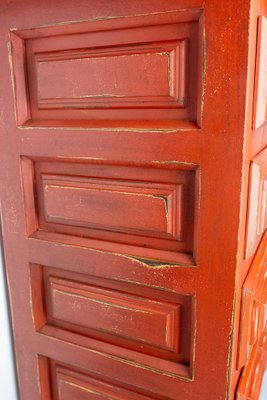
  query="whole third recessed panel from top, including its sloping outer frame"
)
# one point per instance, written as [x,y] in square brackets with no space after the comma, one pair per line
[151,326]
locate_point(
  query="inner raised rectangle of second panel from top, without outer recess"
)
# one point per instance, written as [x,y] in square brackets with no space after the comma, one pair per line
[141,208]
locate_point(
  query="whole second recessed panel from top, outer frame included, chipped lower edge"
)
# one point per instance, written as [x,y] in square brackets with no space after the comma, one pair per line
[142,208]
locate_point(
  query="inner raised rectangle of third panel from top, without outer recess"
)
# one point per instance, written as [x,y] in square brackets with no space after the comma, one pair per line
[116,313]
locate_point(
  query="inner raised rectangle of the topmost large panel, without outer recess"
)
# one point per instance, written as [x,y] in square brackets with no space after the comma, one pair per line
[113,78]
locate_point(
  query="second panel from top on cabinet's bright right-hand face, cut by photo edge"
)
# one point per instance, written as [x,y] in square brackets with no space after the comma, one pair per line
[257,202]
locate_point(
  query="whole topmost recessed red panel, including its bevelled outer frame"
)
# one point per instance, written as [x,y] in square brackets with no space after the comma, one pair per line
[144,68]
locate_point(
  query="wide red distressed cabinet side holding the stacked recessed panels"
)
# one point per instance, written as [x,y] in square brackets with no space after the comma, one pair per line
[119,219]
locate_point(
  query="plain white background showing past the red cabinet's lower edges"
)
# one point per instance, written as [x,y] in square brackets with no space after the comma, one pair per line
[7,375]
